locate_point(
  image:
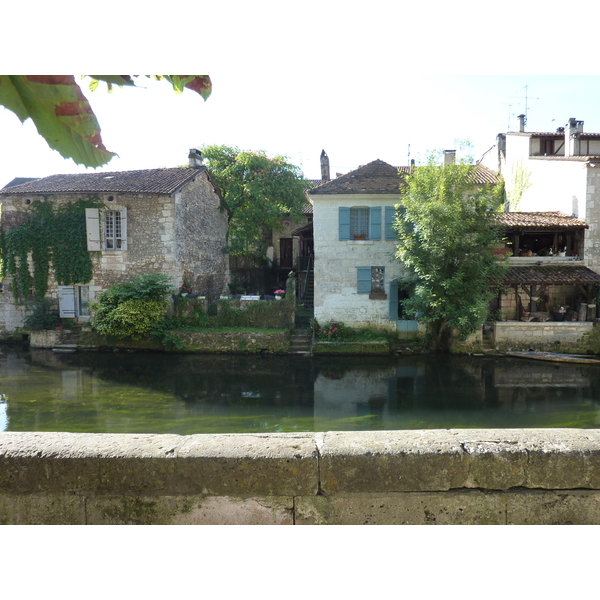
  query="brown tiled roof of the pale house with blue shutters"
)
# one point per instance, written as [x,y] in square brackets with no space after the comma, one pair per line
[378,177]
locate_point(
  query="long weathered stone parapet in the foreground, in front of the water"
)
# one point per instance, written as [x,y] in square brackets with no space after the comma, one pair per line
[534,476]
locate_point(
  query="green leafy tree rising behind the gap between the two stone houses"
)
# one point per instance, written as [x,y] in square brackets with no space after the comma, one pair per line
[257,192]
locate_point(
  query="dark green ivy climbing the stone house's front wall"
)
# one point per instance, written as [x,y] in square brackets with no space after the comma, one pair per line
[51,237]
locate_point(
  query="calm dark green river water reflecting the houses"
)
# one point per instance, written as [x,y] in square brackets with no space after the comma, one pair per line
[184,394]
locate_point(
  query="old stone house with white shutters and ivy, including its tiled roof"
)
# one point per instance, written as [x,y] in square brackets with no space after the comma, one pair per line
[155,220]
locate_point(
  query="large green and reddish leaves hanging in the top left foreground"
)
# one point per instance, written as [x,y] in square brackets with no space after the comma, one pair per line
[64,117]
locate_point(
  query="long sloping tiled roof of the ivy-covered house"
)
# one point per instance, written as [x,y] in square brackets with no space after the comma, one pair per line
[155,181]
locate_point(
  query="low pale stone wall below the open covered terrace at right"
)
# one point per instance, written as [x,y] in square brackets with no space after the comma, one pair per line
[535,334]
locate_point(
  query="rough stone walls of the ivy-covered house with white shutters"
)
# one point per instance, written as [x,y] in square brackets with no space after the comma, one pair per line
[181,236]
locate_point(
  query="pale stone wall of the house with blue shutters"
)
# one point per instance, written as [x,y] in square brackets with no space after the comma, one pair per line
[336,262]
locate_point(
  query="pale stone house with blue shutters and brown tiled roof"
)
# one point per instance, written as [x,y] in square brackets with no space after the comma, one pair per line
[356,274]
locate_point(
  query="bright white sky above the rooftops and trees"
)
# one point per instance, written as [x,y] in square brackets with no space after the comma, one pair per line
[397,120]
